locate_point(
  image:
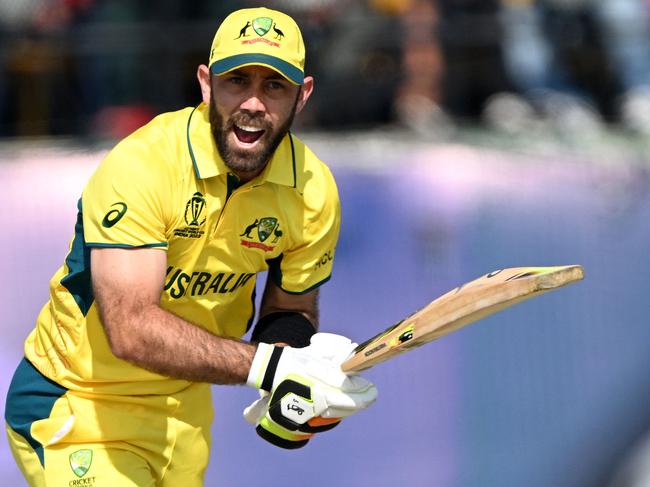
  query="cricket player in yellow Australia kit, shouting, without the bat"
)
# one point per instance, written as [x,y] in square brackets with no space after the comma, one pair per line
[158,286]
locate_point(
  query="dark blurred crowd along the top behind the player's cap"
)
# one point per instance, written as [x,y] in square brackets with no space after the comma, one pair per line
[104,67]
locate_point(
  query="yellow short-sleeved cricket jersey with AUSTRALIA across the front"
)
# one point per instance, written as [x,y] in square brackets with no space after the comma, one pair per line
[166,186]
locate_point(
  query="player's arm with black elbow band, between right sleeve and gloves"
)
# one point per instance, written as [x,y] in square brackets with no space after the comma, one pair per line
[289,319]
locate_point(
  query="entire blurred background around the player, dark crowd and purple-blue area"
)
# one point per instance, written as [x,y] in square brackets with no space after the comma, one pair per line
[466,136]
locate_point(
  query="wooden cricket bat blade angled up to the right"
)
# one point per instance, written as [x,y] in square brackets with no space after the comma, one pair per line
[460,307]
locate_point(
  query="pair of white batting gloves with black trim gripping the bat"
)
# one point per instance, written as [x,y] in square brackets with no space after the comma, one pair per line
[308,391]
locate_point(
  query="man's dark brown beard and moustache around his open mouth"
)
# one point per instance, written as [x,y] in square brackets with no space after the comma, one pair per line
[247,160]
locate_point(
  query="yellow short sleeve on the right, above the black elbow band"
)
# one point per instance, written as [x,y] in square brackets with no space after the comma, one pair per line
[309,264]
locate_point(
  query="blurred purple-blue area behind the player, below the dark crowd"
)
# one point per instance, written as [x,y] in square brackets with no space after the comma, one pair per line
[552,392]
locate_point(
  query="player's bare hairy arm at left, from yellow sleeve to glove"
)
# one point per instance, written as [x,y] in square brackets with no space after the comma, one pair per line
[127,284]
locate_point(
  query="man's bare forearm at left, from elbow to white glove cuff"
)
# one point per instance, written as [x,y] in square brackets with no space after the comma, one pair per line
[161,342]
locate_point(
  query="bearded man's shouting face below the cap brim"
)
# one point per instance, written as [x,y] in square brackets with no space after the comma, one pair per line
[251,110]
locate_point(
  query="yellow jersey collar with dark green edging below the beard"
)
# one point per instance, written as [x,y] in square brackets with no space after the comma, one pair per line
[208,163]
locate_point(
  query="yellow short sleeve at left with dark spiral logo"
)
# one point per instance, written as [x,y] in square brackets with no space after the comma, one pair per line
[122,203]
